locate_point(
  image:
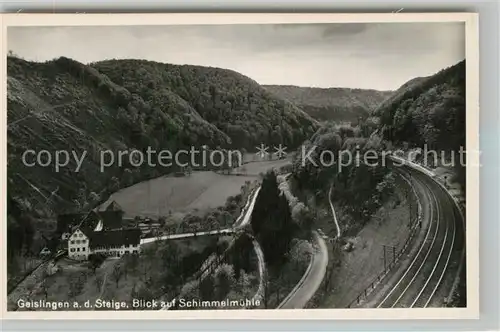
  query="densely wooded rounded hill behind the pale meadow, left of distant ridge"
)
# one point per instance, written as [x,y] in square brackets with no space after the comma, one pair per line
[233,103]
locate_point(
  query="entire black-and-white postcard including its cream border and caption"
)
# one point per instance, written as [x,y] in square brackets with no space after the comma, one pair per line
[168,168]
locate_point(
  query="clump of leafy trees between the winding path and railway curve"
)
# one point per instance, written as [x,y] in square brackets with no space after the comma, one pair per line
[359,189]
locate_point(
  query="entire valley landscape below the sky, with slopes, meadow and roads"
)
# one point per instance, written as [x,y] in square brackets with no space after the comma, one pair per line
[315,239]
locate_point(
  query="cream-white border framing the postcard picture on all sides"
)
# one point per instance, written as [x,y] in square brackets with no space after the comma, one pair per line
[472,180]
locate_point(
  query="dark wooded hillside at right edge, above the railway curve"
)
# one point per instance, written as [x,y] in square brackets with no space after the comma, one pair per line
[430,111]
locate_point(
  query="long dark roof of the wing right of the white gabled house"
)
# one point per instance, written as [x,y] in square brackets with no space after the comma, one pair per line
[115,238]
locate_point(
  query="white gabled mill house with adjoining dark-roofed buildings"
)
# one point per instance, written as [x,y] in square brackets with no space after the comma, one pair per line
[98,232]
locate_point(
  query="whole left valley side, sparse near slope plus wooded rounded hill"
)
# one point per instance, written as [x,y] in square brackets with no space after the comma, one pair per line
[124,105]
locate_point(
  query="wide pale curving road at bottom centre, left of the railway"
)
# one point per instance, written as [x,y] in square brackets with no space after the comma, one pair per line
[310,282]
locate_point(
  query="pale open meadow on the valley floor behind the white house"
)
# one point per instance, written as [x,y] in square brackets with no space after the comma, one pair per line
[180,195]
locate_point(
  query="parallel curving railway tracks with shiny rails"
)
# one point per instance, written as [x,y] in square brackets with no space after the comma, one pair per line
[423,277]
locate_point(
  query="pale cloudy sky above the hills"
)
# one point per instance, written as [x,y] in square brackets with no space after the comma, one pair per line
[380,56]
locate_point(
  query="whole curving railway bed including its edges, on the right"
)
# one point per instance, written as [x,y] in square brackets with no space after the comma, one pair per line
[429,265]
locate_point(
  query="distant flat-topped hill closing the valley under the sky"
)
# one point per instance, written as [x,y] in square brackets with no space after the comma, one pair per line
[337,104]
